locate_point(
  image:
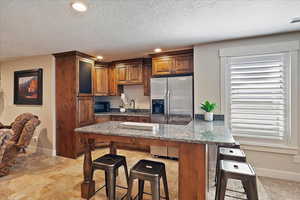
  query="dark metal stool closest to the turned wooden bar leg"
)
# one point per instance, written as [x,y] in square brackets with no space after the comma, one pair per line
[110,164]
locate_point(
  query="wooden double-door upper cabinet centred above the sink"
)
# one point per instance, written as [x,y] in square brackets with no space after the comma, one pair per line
[129,72]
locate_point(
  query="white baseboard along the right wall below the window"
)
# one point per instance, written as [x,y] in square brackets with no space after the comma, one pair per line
[278,174]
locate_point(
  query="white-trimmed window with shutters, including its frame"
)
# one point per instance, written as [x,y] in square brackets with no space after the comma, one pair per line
[259,93]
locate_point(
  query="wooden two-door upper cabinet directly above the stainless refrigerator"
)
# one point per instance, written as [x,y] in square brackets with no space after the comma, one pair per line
[172,63]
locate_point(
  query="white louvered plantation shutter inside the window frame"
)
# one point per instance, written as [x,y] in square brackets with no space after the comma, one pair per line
[258,91]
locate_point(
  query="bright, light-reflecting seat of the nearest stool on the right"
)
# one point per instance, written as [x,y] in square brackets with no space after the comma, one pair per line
[237,167]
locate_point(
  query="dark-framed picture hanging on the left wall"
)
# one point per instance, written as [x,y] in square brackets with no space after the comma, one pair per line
[28,87]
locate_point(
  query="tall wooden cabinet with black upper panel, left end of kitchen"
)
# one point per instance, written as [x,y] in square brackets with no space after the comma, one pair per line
[74,100]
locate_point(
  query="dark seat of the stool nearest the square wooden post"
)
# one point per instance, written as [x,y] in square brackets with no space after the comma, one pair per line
[148,168]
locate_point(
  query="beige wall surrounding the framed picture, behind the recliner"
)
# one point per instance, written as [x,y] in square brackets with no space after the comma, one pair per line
[46,112]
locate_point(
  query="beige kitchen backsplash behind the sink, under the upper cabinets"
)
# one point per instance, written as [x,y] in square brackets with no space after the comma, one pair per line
[135,92]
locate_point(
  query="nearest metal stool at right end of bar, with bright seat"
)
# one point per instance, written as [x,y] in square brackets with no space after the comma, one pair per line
[239,171]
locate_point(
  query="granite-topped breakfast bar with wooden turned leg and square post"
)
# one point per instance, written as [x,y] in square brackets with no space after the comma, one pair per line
[191,139]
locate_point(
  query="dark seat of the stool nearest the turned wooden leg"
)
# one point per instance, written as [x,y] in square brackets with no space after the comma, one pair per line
[109,160]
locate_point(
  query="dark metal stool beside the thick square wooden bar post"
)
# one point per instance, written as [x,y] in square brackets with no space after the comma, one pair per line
[146,170]
